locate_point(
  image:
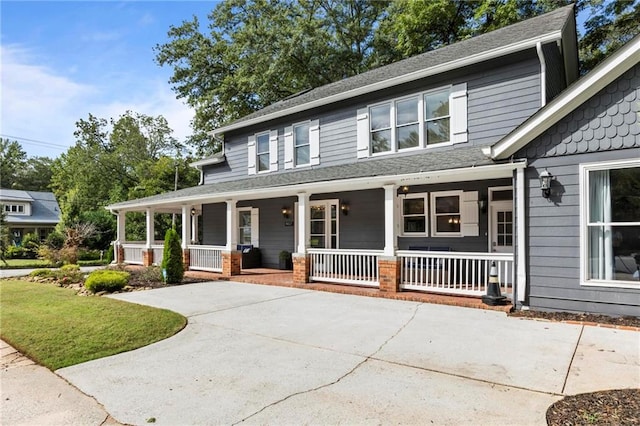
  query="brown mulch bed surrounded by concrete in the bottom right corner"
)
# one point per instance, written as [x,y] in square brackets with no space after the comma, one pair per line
[611,407]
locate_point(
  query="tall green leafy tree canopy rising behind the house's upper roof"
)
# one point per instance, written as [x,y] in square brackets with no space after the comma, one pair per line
[257,52]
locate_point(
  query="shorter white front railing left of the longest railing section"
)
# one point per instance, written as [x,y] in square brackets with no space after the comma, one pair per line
[359,267]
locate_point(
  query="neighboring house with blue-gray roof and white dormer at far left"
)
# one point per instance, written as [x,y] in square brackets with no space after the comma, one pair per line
[29,212]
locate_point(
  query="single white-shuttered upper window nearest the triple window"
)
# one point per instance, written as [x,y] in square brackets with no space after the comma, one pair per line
[302,144]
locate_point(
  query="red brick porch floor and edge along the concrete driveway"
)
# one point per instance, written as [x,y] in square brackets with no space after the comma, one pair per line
[277,277]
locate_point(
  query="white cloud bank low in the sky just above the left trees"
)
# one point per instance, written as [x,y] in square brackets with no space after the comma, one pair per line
[41,104]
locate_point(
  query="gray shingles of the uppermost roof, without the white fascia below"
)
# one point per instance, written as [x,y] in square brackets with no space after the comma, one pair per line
[551,23]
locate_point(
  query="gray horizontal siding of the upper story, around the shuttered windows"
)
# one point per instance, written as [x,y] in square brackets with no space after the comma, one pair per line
[500,97]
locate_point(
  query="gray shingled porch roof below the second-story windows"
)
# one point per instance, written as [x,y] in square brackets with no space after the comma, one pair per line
[433,160]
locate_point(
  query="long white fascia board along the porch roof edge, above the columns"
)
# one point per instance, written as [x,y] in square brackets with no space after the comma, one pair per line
[494,171]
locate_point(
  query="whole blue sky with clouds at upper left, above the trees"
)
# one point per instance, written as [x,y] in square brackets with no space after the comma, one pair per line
[62,61]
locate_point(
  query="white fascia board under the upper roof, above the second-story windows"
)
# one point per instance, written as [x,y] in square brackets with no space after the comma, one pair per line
[406,78]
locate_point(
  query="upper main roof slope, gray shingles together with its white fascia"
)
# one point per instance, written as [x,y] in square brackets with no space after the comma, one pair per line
[523,35]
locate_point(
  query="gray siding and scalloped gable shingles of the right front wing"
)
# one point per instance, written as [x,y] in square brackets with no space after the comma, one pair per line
[604,128]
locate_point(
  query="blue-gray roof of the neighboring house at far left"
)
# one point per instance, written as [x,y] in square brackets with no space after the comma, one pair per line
[44,207]
